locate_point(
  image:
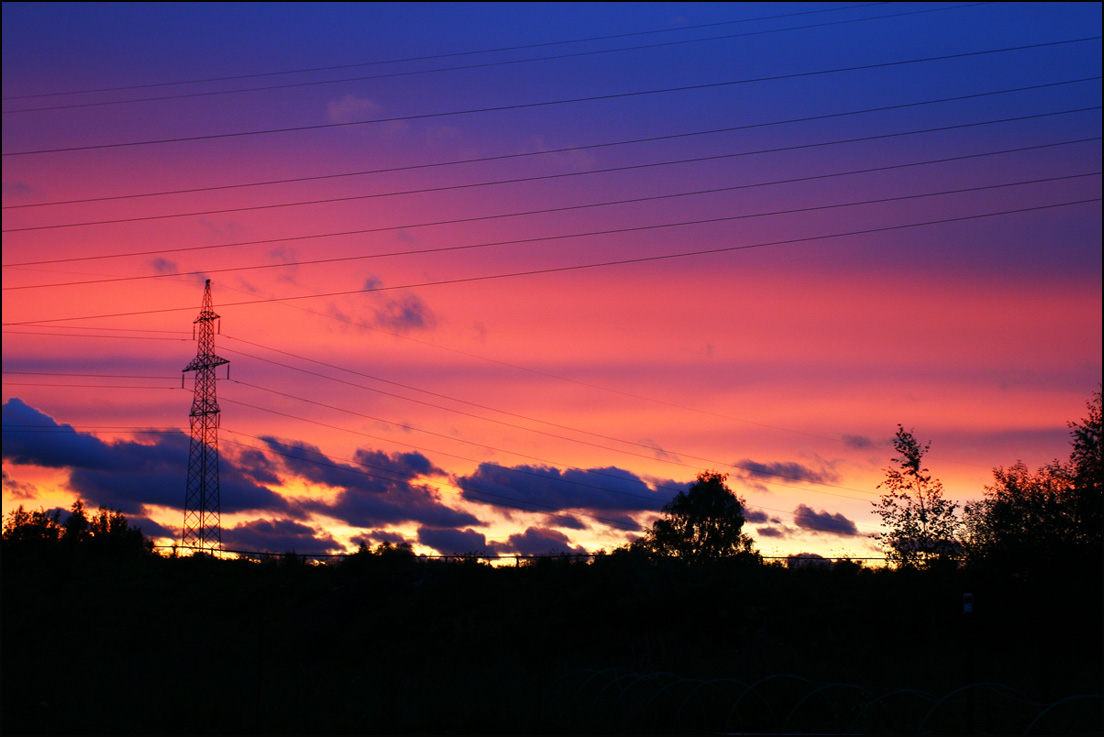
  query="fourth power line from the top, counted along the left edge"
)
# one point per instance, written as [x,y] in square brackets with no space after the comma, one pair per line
[567,149]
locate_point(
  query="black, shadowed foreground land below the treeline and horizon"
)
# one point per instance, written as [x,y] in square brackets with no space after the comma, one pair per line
[379,645]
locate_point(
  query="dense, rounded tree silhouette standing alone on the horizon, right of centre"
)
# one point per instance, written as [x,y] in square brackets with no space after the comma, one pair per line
[703,522]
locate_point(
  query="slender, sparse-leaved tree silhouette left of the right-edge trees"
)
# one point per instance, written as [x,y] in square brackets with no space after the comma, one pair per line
[921,525]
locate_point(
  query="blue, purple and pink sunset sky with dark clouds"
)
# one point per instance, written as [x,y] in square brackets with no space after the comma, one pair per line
[506,279]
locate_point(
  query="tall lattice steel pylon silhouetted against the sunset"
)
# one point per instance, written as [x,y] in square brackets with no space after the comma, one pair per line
[203,530]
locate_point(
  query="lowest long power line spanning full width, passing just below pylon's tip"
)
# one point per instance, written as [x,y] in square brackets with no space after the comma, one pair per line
[579,268]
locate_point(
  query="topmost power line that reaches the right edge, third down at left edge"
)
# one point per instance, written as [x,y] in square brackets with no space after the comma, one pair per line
[521,106]
